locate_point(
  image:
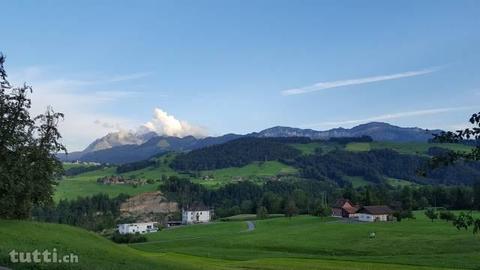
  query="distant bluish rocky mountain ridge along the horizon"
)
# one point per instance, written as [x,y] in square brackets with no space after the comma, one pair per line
[119,148]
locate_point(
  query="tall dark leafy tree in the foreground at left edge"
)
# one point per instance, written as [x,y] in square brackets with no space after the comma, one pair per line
[28,145]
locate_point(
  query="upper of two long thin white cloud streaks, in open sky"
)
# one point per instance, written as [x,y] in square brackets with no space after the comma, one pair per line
[333,84]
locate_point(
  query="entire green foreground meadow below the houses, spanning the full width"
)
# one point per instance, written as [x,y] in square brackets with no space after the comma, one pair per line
[281,243]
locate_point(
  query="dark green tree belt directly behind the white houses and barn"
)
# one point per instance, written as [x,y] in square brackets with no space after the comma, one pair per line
[306,197]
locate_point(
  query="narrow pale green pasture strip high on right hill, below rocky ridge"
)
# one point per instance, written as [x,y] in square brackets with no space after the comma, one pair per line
[412,148]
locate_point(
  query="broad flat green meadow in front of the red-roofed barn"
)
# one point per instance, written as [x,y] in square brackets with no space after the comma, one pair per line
[305,239]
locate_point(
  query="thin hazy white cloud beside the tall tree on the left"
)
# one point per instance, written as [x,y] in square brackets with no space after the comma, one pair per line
[81,101]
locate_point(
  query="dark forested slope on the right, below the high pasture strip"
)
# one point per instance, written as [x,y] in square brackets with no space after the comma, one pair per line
[374,165]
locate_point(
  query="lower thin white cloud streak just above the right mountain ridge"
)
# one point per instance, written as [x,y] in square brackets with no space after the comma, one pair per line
[391,116]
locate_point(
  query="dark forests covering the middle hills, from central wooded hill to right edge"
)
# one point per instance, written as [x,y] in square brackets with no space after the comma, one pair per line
[373,166]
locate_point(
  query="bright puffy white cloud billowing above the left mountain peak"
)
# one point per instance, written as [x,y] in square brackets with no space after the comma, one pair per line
[166,124]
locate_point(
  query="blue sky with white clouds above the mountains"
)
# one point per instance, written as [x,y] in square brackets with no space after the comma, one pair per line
[214,67]
